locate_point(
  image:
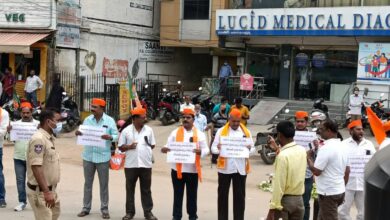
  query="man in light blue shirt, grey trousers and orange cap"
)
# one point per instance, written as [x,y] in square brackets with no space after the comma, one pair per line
[98,158]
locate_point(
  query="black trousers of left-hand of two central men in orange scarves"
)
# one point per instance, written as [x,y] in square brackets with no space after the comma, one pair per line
[189,180]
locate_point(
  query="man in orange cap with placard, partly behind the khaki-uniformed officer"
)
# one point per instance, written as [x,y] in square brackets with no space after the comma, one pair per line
[21,145]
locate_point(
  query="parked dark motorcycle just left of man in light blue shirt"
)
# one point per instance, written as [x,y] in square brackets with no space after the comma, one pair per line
[70,113]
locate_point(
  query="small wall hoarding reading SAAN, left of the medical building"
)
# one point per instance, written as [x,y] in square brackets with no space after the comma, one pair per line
[151,51]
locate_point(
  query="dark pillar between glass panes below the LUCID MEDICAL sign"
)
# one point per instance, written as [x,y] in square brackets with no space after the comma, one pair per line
[285,65]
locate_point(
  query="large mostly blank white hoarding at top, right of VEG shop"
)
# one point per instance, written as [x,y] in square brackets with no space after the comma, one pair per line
[131,12]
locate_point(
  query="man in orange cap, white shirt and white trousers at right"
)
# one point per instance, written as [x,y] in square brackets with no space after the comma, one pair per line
[360,151]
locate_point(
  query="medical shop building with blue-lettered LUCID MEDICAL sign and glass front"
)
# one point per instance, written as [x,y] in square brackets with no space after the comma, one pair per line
[304,49]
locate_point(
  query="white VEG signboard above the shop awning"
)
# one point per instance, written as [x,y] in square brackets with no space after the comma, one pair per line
[27,14]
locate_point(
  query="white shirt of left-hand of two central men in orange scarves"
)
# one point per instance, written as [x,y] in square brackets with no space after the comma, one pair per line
[189,168]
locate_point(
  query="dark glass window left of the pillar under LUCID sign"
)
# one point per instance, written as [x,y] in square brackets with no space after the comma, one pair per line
[265,62]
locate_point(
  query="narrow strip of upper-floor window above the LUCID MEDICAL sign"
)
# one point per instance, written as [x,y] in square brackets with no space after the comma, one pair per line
[304,3]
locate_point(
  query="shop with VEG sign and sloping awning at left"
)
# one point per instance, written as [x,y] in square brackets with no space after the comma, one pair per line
[26,40]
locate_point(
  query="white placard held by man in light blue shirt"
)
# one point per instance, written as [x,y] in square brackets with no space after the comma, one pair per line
[91,136]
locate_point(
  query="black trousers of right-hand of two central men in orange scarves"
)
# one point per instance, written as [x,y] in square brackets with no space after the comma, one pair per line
[239,182]
